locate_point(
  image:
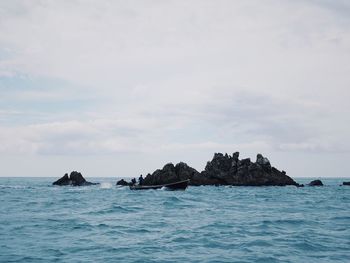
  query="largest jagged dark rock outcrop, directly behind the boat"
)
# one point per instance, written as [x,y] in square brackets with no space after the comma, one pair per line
[224,170]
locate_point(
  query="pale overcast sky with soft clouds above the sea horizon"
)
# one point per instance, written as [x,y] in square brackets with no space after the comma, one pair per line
[120,88]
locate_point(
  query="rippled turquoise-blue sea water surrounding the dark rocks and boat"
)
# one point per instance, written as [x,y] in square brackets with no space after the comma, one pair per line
[43,223]
